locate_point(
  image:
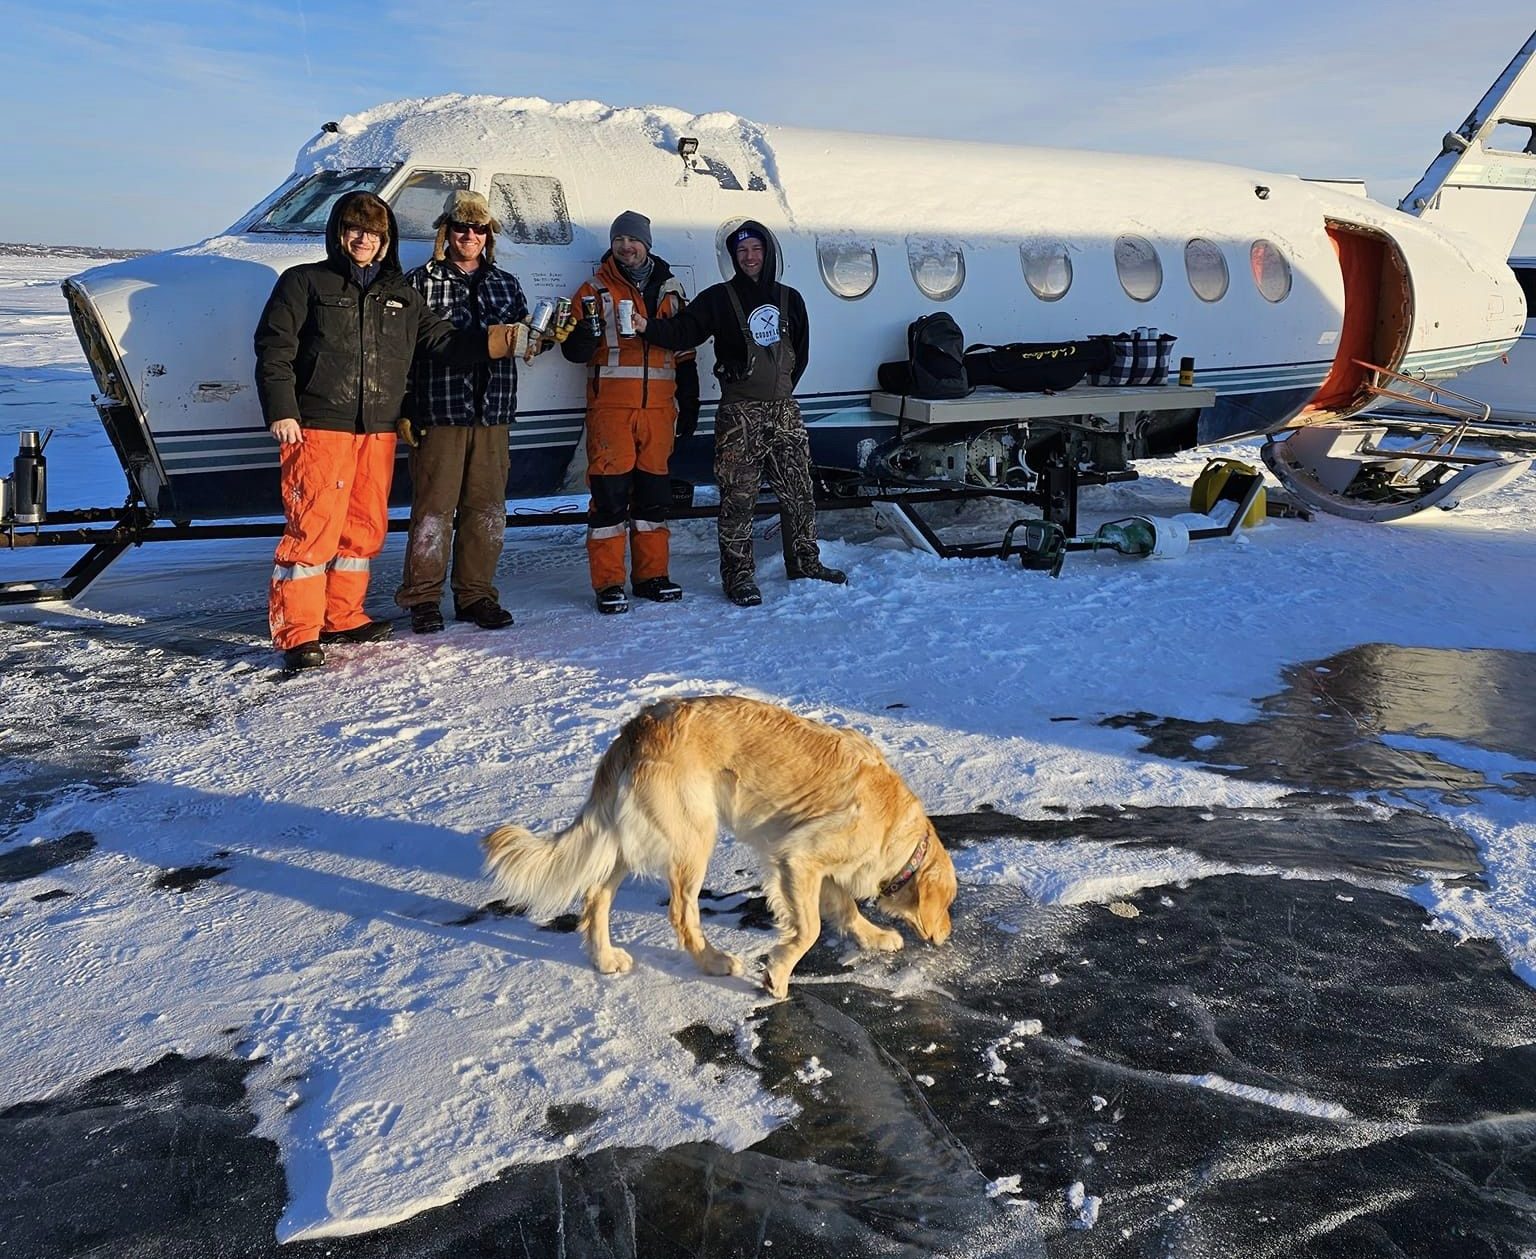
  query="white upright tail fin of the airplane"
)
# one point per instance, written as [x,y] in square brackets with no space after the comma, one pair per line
[1485,179]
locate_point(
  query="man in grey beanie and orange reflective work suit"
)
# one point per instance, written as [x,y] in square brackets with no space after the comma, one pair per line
[638,397]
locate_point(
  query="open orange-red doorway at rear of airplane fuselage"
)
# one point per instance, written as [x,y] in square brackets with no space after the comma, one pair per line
[1379,309]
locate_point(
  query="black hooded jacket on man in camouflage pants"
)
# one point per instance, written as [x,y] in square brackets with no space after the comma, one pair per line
[713,314]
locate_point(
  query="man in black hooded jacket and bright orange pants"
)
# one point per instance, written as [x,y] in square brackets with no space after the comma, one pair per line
[334,352]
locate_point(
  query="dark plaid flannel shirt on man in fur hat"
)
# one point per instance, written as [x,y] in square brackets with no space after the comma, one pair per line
[486,394]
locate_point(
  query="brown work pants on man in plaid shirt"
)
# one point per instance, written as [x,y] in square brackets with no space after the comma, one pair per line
[458,507]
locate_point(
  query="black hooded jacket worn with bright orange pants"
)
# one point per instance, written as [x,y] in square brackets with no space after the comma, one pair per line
[337,357]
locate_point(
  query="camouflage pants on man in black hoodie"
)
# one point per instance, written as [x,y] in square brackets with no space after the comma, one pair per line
[755,441]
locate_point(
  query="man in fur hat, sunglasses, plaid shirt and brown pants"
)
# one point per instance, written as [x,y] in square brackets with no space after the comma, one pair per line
[458,429]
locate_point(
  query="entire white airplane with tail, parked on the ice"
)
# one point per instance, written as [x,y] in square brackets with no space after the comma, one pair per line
[1297,300]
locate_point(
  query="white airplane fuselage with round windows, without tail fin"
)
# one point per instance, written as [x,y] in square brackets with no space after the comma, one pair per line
[916,217]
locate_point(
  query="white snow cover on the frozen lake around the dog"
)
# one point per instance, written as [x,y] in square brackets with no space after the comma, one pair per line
[409,1048]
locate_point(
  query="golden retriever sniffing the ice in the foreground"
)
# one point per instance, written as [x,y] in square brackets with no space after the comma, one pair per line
[830,819]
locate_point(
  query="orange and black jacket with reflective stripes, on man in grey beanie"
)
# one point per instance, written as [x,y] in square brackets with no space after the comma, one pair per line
[627,371]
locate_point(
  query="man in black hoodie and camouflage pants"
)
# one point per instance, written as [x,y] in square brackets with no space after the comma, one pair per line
[761,349]
